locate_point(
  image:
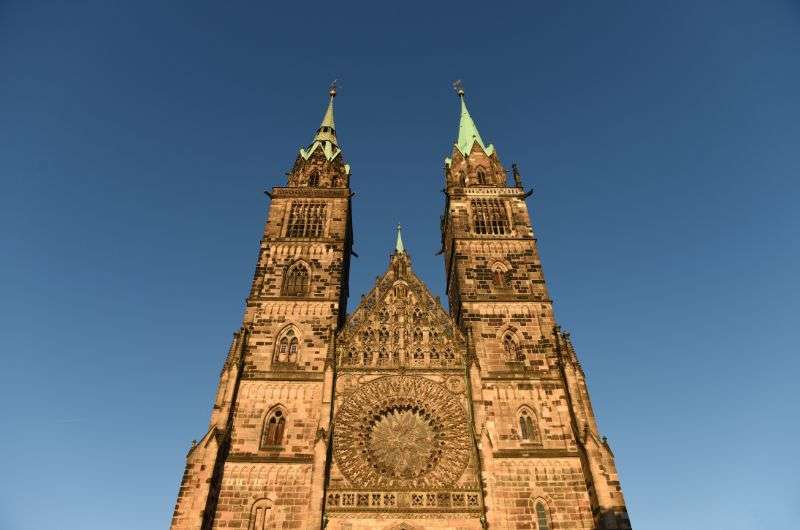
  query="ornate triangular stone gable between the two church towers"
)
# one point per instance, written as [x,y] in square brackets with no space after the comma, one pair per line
[399,324]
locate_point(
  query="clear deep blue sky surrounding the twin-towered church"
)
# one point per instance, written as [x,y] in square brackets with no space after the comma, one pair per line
[662,140]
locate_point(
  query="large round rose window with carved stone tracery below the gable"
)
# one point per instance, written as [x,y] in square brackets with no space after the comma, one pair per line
[401,432]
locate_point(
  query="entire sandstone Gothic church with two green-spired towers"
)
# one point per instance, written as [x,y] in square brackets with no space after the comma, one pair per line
[401,415]
